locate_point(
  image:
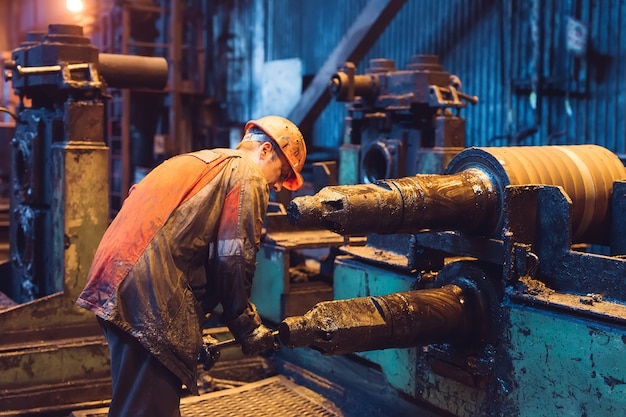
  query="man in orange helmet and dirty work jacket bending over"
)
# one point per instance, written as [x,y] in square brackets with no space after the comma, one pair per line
[184,241]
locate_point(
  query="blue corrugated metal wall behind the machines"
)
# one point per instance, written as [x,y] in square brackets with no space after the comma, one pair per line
[511,54]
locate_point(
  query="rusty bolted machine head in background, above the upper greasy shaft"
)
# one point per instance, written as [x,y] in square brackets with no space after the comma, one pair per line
[399,122]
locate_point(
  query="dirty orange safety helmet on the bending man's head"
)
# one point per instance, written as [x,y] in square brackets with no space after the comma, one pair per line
[289,139]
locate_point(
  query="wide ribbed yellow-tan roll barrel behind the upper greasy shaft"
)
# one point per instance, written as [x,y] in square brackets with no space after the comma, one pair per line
[585,172]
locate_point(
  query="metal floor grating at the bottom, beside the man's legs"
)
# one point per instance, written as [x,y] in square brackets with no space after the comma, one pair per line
[275,396]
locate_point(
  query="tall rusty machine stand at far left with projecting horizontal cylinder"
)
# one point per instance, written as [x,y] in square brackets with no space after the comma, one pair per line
[52,353]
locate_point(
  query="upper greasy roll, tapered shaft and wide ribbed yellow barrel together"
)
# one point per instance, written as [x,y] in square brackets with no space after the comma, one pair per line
[469,196]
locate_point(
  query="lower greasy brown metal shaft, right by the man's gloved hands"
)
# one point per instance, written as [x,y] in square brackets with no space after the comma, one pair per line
[448,314]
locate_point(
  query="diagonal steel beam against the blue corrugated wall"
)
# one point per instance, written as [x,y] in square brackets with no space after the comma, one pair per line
[359,38]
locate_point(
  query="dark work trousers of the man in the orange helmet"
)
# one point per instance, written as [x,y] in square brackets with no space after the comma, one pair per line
[142,386]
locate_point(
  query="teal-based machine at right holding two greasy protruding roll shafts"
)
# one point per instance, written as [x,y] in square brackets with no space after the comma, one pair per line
[509,298]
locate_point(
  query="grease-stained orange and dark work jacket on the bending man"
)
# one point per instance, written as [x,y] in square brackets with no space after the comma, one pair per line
[184,240]
